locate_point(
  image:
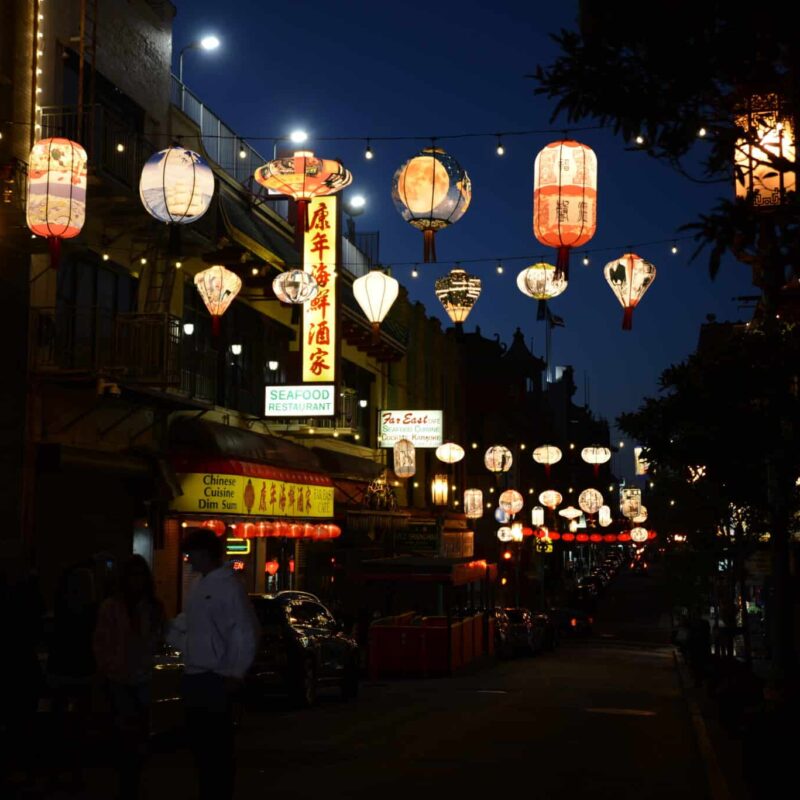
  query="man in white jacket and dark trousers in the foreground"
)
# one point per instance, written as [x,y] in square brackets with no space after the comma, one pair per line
[217,635]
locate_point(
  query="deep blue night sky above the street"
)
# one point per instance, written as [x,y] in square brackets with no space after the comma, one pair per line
[360,68]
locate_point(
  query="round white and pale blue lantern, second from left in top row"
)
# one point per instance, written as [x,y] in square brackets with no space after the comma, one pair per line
[176,186]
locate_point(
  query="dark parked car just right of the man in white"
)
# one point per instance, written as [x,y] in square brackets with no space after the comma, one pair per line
[302,648]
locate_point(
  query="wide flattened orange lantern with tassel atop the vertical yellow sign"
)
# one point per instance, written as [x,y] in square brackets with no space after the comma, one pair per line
[303,176]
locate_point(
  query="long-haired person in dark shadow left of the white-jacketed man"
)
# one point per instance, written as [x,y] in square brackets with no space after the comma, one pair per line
[130,626]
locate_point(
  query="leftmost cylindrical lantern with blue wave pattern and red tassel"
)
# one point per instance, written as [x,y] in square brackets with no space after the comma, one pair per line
[56,203]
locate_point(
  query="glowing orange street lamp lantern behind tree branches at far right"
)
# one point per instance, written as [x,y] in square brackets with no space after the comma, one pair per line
[766,121]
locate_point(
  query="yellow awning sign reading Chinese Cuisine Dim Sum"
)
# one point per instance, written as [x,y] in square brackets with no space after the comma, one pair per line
[212,493]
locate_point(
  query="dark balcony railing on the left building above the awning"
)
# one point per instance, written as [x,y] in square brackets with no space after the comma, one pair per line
[130,348]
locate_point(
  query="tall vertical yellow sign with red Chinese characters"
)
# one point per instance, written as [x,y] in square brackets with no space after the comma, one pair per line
[319,315]
